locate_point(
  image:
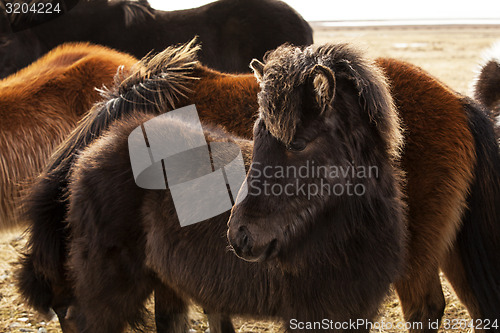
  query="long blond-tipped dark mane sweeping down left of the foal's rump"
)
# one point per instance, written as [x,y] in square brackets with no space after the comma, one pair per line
[154,85]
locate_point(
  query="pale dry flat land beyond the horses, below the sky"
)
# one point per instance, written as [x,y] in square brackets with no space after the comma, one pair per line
[449,53]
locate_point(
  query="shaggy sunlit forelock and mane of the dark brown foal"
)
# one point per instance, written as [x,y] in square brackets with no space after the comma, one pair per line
[288,67]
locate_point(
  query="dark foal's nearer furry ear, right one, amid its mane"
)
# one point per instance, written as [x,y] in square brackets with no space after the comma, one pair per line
[323,83]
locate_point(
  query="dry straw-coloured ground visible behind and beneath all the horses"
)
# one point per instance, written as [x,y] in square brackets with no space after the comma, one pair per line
[449,53]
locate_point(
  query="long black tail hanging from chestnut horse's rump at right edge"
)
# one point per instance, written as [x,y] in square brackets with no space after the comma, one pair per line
[479,238]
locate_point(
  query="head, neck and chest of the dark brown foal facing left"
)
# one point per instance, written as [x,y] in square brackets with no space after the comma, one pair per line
[304,121]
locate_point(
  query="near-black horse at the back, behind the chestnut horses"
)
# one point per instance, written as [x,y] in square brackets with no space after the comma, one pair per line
[232,32]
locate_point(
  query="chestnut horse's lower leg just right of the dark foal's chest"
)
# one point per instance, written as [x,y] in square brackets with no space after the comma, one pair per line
[422,298]
